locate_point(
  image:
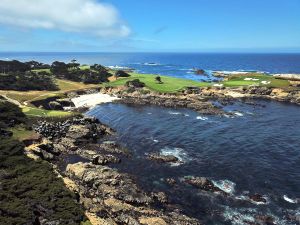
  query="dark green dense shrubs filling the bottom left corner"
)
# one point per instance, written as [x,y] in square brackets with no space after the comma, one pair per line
[30,192]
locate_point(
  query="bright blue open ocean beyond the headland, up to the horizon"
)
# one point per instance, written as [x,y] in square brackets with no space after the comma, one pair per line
[174,64]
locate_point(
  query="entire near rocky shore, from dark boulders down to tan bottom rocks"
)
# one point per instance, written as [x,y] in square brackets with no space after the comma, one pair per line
[109,197]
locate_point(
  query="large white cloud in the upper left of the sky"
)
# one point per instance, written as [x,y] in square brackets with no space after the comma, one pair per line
[83,16]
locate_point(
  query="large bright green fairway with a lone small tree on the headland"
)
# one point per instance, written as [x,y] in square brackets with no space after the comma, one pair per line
[169,85]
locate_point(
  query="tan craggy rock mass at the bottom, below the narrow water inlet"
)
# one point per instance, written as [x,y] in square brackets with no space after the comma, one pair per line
[116,199]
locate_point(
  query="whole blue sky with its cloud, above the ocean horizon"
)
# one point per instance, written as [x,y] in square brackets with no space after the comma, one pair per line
[150,26]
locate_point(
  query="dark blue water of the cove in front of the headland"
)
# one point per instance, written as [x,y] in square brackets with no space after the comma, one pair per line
[257,151]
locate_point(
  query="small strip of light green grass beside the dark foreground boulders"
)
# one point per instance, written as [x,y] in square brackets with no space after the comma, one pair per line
[36,112]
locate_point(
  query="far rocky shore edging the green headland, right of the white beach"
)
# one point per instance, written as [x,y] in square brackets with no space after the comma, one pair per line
[199,98]
